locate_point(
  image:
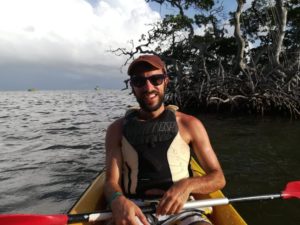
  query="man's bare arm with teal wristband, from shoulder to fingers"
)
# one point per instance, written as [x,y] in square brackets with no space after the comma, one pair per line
[124,210]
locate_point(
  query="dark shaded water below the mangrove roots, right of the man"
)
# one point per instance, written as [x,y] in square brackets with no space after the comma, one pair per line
[258,156]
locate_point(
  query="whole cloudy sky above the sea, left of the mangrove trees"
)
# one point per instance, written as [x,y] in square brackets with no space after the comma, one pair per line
[64,44]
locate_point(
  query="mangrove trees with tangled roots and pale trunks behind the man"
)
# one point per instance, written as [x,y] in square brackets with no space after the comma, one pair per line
[254,70]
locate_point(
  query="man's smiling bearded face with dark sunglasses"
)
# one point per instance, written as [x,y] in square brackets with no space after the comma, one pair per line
[148,88]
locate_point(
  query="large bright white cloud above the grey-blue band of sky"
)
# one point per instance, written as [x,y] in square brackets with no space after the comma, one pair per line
[72,35]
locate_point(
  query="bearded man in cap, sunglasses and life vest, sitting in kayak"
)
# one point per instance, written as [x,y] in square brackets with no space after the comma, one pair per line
[148,151]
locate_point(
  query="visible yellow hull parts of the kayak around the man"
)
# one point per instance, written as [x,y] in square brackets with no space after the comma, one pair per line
[93,200]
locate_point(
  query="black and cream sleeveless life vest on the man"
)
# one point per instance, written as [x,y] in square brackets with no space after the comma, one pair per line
[154,154]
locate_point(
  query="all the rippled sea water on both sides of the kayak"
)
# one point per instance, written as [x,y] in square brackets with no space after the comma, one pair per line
[52,146]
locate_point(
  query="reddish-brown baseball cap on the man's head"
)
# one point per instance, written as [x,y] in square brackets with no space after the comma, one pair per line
[153,60]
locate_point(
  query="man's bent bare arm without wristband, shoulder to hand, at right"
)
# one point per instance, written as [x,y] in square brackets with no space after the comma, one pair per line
[194,133]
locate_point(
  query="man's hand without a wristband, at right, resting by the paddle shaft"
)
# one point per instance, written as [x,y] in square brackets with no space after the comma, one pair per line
[173,199]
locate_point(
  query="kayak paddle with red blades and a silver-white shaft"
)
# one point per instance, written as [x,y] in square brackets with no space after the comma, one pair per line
[292,190]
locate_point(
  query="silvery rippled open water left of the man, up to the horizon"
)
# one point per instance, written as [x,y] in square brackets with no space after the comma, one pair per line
[52,145]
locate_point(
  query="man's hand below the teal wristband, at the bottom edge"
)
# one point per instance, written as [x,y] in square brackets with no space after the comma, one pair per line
[125,212]
